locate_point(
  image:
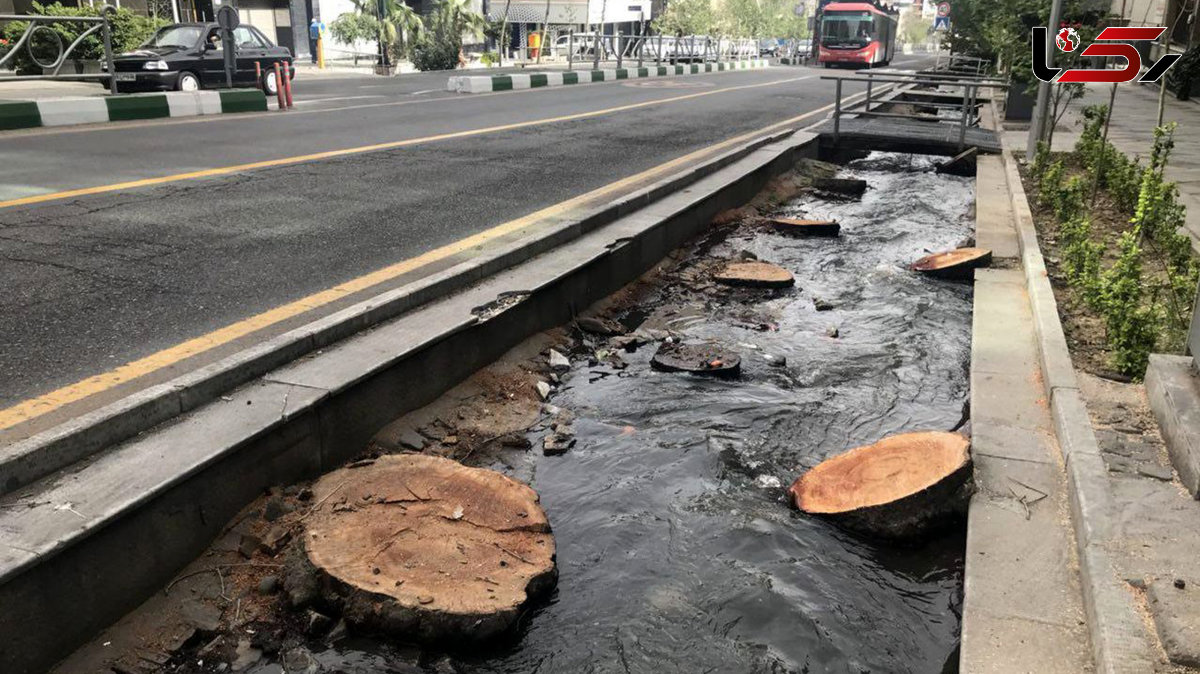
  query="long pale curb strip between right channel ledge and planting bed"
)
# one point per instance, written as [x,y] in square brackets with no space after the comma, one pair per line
[1120,642]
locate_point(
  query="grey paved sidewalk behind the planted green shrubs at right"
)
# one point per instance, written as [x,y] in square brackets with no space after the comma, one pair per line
[1132,131]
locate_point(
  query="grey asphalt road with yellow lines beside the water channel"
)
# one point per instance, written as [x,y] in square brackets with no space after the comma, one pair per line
[101,280]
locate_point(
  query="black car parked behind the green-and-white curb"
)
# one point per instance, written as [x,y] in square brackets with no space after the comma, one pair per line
[191,57]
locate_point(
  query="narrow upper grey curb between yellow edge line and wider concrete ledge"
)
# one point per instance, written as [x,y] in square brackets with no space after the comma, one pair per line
[35,458]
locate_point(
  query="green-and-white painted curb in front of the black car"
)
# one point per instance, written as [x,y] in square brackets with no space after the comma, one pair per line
[92,110]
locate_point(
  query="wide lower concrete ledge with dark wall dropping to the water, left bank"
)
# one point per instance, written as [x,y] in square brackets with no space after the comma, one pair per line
[140,513]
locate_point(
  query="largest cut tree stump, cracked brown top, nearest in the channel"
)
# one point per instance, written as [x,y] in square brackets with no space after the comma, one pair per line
[428,550]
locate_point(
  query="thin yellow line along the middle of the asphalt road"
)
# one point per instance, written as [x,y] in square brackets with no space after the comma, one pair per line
[359,151]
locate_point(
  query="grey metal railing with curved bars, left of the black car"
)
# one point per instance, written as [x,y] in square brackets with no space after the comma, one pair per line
[41,26]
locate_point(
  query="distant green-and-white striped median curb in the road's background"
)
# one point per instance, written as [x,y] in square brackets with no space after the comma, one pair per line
[482,85]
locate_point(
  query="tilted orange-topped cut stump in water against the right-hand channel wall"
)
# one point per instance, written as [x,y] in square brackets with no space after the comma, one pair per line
[897,489]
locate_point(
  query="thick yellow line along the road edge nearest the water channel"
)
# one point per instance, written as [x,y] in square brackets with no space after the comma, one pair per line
[75,393]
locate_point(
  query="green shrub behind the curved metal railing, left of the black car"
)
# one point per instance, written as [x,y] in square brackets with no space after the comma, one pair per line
[129,31]
